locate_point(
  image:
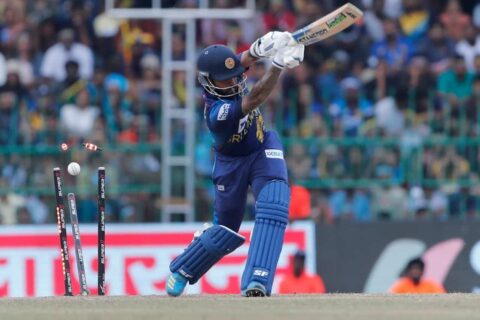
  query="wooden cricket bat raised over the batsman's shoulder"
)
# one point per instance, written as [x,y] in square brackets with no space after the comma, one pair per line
[327,26]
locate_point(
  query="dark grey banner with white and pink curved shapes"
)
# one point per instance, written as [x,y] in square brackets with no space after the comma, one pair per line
[357,257]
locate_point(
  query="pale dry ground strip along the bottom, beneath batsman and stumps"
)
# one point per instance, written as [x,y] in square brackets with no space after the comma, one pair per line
[212,307]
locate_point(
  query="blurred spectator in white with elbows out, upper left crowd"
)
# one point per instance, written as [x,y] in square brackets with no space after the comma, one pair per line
[64,50]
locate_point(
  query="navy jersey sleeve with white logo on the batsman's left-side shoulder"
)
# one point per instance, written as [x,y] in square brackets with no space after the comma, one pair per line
[225,114]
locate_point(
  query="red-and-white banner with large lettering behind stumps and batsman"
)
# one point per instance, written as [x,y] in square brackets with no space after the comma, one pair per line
[137,258]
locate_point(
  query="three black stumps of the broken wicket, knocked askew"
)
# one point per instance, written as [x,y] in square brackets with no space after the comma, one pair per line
[60,211]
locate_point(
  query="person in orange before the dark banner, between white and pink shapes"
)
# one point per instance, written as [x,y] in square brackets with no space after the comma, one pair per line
[412,281]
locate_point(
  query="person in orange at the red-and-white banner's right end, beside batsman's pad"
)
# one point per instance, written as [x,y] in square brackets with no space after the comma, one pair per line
[299,281]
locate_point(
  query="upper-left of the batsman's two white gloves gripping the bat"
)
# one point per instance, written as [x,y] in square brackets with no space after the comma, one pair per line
[268,45]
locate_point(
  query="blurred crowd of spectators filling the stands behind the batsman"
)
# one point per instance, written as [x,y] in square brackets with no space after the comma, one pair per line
[379,122]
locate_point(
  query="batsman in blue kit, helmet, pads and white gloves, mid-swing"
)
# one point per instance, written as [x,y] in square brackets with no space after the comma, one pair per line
[246,155]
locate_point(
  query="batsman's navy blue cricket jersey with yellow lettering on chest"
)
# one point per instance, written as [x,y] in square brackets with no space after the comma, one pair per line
[234,133]
